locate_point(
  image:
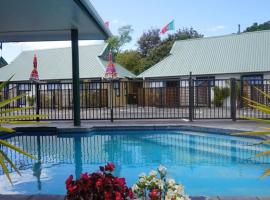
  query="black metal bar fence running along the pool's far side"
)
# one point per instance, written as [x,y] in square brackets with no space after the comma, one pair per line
[192,99]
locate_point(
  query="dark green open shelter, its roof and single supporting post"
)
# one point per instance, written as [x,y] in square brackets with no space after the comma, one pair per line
[53,20]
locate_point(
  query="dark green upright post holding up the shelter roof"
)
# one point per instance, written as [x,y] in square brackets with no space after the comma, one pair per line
[75,77]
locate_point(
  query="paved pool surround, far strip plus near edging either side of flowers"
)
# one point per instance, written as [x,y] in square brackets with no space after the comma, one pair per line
[241,125]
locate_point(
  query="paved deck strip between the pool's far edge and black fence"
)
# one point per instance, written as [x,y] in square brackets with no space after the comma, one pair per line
[243,125]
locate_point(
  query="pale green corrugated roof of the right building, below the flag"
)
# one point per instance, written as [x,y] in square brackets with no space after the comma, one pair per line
[236,53]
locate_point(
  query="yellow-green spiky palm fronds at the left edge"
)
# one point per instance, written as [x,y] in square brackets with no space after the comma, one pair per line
[12,119]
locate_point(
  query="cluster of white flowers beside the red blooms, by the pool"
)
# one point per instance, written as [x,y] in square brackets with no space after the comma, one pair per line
[156,186]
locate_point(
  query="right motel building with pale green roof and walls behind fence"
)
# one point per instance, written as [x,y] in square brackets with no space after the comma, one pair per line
[213,62]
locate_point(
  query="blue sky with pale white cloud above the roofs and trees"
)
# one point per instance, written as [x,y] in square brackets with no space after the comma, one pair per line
[208,17]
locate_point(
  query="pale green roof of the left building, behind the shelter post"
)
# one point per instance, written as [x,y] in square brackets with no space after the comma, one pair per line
[56,64]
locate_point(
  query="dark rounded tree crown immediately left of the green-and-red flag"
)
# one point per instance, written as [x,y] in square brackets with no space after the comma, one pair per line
[148,41]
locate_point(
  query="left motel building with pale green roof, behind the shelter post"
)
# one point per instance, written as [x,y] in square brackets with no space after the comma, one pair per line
[55,74]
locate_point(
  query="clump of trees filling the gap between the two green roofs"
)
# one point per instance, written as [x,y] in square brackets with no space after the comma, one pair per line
[152,49]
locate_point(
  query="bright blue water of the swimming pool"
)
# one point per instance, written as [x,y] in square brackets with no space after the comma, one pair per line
[206,164]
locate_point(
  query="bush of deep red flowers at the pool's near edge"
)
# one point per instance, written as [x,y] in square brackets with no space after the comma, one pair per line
[100,185]
